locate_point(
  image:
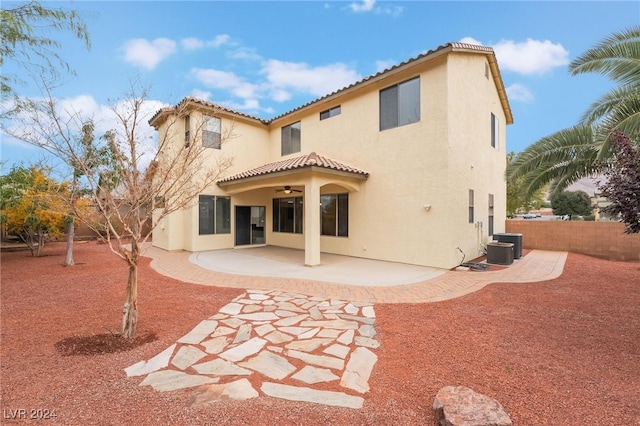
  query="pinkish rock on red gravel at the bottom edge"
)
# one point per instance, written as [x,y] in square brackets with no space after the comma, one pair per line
[459,405]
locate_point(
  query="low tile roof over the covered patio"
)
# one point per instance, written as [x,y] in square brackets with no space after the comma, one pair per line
[308,160]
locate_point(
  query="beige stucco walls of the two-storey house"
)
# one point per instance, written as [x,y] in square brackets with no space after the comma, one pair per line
[435,161]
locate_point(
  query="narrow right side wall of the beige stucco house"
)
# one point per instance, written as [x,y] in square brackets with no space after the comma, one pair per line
[474,163]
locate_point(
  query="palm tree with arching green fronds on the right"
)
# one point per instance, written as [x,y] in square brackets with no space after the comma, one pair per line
[583,150]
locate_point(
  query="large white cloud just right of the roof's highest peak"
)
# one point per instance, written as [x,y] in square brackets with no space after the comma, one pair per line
[529,57]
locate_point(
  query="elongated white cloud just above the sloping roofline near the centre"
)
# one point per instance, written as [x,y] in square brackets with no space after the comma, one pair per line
[301,77]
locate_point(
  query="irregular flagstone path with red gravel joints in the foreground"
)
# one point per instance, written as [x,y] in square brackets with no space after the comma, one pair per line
[290,341]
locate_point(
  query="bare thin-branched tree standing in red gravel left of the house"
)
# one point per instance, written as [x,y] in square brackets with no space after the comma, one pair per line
[144,181]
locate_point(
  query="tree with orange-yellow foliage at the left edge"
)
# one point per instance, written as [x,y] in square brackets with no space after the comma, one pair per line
[32,206]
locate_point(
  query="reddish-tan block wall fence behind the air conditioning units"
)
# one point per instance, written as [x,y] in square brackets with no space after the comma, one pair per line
[605,240]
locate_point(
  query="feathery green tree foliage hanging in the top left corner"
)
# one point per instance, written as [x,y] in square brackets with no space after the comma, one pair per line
[26,41]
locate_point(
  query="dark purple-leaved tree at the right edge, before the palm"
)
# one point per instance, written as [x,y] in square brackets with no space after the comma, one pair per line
[622,184]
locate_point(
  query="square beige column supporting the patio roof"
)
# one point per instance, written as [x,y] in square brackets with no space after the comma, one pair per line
[312,222]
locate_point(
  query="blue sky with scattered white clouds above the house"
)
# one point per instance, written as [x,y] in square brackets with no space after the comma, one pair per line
[265,58]
